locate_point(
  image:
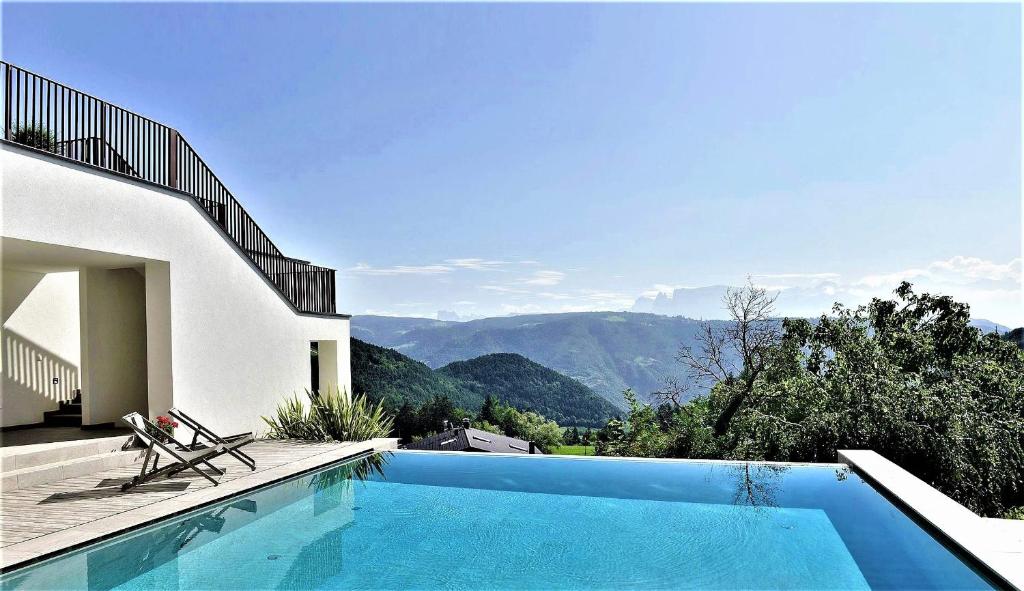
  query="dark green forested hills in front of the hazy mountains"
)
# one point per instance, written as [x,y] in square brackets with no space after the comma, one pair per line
[386,374]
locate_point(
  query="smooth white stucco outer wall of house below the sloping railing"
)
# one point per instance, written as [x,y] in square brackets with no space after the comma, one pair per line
[236,347]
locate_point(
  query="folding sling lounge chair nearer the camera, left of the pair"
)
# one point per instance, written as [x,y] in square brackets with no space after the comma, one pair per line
[186,458]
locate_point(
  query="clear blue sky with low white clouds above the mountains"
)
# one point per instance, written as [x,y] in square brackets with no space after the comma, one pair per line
[499,159]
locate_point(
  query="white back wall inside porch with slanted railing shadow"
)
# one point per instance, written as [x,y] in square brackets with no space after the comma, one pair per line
[40,343]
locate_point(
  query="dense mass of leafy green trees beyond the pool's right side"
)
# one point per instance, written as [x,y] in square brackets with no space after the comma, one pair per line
[909,378]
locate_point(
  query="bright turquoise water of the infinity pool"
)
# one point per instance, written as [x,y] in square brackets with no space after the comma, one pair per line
[421,521]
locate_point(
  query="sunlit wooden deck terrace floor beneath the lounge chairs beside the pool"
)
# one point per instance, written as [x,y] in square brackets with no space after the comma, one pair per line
[46,520]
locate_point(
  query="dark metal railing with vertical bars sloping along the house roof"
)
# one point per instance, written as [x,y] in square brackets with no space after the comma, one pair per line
[49,116]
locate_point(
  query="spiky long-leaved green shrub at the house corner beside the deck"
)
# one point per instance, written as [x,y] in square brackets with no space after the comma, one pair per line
[330,415]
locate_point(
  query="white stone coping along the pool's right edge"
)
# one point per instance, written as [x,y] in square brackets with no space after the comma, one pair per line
[999,544]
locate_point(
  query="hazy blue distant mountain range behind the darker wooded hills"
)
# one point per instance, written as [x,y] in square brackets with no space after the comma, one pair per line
[607,352]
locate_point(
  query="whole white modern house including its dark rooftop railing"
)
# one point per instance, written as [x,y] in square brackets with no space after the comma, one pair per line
[131,273]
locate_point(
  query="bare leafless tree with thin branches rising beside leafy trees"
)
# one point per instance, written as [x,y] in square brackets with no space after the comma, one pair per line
[734,355]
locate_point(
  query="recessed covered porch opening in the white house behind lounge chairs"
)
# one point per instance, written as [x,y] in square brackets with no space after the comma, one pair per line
[86,341]
